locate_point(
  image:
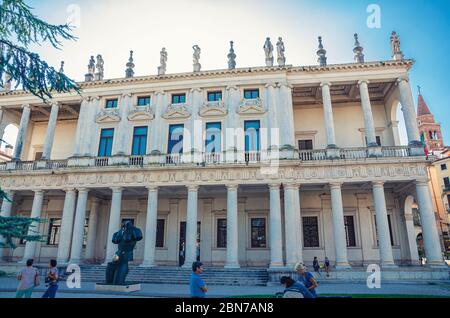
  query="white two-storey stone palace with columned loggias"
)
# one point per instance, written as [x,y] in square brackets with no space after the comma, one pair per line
[157,150]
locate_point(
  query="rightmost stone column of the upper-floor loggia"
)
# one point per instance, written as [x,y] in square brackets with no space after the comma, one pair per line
[409,113]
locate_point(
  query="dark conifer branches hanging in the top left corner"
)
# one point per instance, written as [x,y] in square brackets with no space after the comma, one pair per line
[20,28]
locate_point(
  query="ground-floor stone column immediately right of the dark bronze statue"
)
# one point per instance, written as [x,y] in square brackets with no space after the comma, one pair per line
[150,227]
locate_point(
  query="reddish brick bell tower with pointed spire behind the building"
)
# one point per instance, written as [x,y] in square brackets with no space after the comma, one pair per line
[430,131]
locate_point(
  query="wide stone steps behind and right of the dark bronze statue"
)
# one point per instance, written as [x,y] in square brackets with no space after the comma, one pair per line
[176,275]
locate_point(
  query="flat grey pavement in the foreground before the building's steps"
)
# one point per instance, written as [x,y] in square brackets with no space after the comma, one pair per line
[87,290]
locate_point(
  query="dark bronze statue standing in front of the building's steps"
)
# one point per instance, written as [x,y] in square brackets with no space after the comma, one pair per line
[126,238]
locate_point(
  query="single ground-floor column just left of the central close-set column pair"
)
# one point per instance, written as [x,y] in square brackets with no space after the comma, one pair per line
[232,227]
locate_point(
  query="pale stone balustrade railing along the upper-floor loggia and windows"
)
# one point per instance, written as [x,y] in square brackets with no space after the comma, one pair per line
[205,158]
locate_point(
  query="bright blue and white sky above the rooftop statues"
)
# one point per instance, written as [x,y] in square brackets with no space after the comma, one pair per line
[113,27]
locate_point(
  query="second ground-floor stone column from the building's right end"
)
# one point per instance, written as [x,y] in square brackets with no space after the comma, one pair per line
[384,239]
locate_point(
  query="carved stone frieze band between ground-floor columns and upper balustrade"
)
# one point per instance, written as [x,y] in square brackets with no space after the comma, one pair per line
[138,177]
